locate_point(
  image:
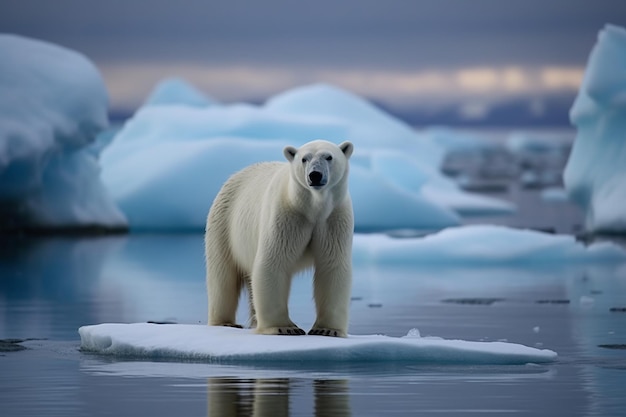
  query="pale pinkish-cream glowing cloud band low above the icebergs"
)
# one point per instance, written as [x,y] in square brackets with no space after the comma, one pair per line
[130,82]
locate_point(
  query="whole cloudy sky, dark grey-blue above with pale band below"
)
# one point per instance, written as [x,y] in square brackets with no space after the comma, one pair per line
[425,53]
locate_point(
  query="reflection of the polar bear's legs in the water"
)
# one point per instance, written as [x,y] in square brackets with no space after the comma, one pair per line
[229,397]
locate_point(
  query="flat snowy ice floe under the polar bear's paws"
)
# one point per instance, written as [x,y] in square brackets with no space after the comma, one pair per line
[229,345]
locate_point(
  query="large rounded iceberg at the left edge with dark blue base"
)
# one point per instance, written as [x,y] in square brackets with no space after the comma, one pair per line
[52,104]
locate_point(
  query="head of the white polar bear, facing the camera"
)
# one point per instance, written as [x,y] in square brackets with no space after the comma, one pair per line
[319,164]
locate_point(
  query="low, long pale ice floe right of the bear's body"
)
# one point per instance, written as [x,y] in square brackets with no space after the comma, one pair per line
[483,245]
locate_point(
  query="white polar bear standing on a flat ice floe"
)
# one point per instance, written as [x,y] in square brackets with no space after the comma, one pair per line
[270,221]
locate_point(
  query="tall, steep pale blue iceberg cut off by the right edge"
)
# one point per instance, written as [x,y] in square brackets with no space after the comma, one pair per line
[595,176]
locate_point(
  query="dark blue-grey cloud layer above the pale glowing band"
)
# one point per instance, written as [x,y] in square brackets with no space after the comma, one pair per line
[369,33]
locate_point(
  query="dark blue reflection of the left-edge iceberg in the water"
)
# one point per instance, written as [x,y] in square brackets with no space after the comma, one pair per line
[49,286]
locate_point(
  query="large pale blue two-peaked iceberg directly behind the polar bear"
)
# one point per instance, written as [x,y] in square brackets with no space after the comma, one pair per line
[169,161]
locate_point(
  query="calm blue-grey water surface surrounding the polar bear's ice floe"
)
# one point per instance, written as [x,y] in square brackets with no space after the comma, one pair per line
[51,286]
